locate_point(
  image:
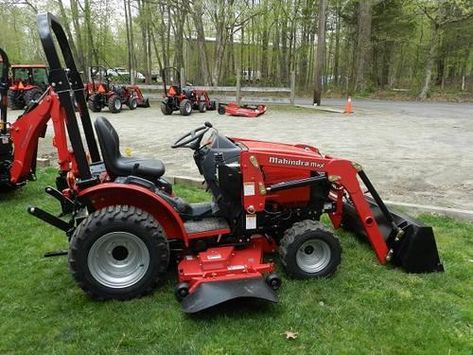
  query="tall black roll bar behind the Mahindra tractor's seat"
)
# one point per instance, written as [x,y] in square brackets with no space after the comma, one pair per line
[68,85]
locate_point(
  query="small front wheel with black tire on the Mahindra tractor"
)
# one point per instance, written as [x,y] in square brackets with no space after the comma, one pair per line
[309,249]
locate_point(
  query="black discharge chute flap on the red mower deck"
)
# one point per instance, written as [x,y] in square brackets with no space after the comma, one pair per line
[210,294]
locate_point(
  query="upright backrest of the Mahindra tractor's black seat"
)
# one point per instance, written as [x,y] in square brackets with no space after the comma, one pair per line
[109,144]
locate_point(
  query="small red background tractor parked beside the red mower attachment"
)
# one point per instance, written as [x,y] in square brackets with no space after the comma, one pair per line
[182,99]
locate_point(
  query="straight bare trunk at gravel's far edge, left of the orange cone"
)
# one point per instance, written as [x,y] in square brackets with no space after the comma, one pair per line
[320,56]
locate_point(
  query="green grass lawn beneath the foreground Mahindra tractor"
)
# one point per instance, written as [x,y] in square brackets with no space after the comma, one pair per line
[364,308]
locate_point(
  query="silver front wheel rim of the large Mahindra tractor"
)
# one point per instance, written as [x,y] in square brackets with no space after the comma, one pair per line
[313,256]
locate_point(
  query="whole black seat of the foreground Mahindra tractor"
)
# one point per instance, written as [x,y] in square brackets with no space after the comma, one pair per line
[118,165]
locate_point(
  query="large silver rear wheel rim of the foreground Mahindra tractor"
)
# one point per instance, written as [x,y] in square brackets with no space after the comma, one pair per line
[118,260]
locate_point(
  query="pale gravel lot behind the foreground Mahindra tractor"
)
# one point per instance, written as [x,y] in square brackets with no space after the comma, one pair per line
[413,152]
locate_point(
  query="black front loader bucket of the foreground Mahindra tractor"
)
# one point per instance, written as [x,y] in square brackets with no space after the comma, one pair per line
[415,251]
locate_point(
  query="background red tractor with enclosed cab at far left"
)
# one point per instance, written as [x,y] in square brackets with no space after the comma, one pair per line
[28,83]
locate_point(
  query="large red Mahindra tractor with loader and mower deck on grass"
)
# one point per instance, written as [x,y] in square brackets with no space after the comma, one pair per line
[125,227]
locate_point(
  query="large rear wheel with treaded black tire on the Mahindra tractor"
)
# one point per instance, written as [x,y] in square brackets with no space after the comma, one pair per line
[119,252]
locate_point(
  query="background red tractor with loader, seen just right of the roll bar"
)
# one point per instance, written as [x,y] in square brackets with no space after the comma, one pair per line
[102,93]
